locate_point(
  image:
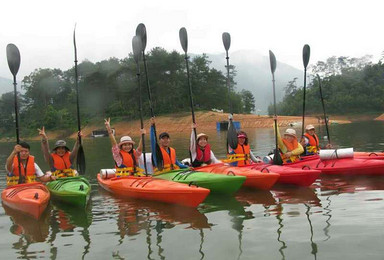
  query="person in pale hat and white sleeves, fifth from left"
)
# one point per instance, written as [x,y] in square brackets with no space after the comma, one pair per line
[201,153]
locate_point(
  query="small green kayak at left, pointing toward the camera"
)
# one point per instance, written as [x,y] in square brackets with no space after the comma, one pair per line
[71,190]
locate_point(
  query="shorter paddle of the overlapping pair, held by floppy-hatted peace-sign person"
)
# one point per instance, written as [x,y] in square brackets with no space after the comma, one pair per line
[137,48]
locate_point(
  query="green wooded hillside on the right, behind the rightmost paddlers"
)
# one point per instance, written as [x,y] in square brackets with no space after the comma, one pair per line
[349,85]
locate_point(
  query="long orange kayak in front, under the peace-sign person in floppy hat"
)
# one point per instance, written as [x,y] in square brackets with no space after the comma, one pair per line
[150,188]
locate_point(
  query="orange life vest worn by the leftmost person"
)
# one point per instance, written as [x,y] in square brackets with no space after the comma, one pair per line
[28,172]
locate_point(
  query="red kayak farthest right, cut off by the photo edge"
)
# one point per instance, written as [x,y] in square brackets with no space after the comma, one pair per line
[344,166]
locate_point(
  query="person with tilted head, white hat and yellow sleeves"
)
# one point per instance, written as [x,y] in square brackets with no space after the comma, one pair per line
[290,148]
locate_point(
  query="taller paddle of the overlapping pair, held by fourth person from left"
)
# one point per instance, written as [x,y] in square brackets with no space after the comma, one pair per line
[141,31]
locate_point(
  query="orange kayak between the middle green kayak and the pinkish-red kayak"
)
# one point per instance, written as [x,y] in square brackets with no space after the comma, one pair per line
[254,178]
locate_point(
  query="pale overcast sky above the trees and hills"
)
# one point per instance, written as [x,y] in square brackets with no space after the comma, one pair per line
[42,29]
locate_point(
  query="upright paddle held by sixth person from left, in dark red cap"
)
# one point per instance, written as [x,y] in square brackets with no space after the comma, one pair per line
[232,133]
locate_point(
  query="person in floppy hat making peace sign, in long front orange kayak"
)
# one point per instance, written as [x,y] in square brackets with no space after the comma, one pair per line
[125,156]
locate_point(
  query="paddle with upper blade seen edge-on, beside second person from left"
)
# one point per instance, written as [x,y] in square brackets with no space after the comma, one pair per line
[80,161]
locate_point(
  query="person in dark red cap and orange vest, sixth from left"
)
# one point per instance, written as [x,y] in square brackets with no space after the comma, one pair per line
[242,154]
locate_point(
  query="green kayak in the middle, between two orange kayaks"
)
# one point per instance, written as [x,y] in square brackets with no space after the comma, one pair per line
[217,183]
